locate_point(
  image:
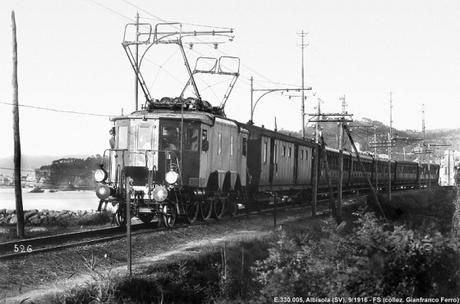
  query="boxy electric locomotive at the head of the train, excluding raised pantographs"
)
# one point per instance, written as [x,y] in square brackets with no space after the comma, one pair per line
[181,163]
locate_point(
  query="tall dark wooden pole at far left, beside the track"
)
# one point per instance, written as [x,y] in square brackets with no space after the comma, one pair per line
[17,140]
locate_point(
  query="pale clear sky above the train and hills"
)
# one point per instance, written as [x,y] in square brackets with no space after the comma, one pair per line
[71,58]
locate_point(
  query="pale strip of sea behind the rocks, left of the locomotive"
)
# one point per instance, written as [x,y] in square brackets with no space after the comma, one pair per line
[60,200]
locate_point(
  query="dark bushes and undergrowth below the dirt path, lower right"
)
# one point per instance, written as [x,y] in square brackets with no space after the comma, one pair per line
[372,257]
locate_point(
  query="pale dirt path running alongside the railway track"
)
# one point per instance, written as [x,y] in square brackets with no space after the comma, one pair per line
[38,275]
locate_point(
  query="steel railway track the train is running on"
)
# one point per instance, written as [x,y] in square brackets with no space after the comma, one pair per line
[25,247]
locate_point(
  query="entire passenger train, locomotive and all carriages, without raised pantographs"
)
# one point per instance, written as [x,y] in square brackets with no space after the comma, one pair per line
[187,161]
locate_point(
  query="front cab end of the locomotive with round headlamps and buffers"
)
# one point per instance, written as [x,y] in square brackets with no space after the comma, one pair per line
[151,151]
